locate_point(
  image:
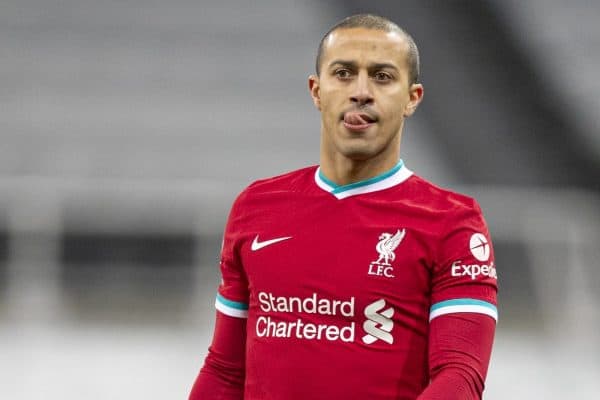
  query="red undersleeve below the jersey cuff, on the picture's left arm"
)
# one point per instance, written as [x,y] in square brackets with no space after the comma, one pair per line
[222,376]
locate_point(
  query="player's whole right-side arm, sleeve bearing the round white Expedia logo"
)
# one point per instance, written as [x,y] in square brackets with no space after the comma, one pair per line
[464,306]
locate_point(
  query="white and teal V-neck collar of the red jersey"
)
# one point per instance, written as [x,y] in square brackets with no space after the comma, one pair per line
[393,177]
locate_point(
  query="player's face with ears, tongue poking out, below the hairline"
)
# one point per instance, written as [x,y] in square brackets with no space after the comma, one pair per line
[363,93]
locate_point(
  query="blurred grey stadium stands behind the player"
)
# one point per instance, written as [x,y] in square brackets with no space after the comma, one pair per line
[128,127]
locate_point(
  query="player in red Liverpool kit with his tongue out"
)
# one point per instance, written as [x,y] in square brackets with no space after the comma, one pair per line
[355,279]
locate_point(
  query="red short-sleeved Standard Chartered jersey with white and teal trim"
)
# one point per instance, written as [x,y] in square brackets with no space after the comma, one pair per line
[339,283]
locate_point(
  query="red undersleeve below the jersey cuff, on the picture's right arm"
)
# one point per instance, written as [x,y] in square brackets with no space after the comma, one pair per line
[460,346]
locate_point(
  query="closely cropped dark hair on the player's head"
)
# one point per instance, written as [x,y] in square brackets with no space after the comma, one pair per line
[375,22]
